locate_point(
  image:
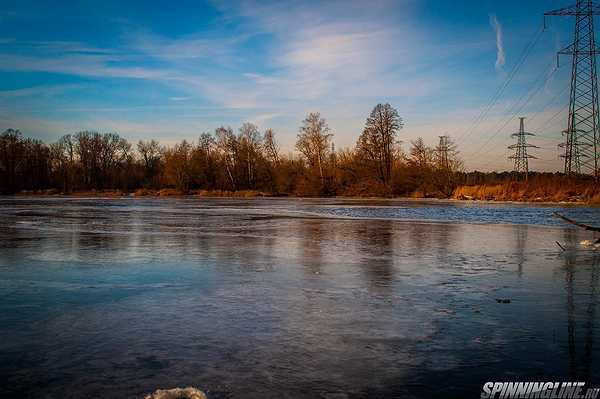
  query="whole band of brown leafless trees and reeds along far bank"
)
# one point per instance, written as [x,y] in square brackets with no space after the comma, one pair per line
[248,161]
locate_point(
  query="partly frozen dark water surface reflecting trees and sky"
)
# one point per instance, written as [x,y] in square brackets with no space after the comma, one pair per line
[286,298]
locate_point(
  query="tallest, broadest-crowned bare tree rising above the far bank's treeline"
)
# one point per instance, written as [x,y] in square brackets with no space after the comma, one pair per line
[376,143]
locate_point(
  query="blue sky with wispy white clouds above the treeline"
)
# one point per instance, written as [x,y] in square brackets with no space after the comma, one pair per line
[172,70]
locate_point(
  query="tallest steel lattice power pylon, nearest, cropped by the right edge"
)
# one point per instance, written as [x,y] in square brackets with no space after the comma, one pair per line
[582,146]
